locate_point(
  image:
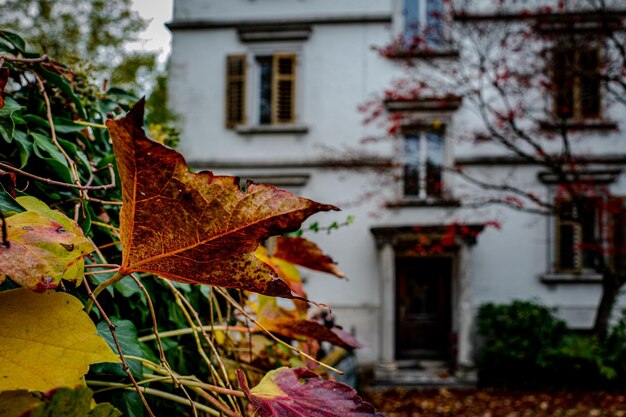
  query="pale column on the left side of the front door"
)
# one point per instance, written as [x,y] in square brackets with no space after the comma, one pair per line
[387,267]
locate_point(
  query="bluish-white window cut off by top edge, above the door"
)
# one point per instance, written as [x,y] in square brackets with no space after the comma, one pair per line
[423,23]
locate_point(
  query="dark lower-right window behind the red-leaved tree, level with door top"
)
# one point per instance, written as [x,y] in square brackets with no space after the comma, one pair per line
[578,235]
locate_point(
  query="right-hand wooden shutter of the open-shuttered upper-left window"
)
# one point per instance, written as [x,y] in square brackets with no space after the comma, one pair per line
[283,88]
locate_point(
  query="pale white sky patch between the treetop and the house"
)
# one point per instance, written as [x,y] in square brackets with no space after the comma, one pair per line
[156,37]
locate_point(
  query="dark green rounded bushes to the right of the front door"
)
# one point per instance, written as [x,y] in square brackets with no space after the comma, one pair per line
[525,346]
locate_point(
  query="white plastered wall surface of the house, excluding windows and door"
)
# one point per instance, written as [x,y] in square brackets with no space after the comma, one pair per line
[337,71]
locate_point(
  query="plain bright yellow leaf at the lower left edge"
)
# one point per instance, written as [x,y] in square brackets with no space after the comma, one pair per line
[46,341]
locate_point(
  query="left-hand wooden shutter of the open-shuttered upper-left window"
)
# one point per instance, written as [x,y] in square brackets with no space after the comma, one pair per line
[235,90]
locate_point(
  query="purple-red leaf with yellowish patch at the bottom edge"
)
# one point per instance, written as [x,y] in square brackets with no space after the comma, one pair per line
[286,392]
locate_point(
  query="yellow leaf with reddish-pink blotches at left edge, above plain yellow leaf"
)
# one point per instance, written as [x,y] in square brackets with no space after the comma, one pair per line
[44,246]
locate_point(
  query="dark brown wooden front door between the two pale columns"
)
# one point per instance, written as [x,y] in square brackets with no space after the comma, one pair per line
[423,307]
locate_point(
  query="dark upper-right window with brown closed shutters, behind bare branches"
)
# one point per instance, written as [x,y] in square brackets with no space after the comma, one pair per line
[576,83]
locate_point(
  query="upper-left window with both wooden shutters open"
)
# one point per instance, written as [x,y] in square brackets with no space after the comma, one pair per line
[274,100]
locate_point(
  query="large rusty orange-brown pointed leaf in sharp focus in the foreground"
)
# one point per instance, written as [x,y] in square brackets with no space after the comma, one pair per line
[196,228]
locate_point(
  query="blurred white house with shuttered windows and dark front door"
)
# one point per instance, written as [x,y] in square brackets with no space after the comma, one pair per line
[270,90]
